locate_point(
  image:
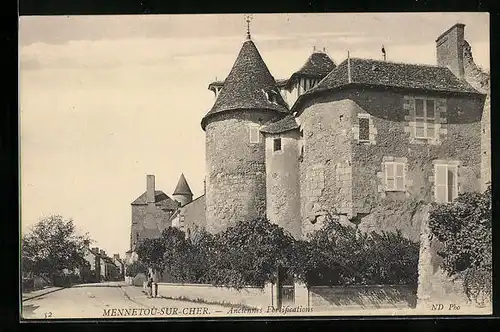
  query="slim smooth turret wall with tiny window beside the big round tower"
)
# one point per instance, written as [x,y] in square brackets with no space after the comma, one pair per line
[282,184]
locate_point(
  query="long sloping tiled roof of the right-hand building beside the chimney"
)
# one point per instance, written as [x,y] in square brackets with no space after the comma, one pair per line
[368,72]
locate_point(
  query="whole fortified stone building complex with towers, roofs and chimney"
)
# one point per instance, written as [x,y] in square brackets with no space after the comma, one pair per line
[365,140]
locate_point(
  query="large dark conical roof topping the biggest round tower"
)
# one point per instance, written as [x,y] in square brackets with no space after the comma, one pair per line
[248,86]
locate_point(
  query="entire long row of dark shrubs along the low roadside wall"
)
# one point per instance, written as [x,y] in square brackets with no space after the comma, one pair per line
[251,252]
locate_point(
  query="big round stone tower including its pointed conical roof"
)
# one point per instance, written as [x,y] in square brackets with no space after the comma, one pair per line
[235,148]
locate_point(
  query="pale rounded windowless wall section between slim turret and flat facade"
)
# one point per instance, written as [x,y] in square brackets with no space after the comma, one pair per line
[326,167]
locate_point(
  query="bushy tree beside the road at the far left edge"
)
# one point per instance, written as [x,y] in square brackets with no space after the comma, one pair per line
[52,246]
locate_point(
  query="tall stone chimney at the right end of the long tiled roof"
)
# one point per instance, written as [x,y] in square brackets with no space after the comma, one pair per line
[449,49]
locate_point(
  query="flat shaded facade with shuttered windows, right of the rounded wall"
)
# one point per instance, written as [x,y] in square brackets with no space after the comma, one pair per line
[458,140]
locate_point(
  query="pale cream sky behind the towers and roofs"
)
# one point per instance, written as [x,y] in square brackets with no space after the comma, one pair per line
[106,100]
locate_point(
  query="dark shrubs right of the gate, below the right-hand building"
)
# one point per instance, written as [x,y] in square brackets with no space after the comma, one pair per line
[341,255]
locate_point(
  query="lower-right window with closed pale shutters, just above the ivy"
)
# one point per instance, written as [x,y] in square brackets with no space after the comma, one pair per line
[445,183]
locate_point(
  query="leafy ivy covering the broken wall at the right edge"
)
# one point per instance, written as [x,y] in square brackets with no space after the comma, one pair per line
[463,227]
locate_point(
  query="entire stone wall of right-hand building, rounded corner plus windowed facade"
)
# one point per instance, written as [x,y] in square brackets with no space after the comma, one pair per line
[341,174]
